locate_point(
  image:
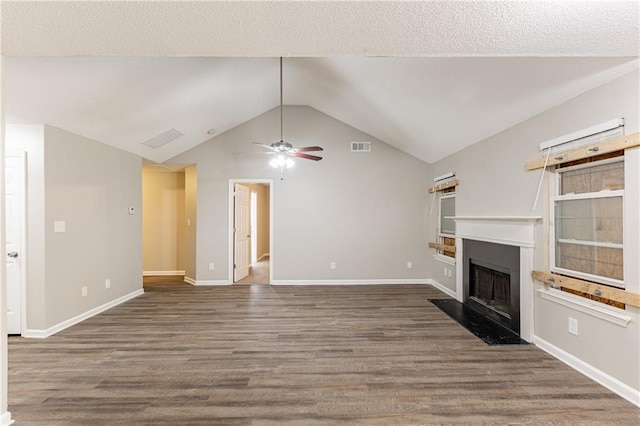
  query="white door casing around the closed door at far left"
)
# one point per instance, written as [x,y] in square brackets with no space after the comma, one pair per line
[22,155]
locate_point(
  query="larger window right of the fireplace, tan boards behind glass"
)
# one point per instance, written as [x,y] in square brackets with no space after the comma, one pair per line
[587,229]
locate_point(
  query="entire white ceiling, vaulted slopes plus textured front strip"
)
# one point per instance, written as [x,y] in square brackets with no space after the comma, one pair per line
[450,75]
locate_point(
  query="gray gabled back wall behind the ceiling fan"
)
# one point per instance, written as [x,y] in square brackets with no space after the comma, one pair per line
[366,212]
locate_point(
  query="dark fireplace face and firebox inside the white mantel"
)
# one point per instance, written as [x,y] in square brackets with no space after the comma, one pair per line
[491,281]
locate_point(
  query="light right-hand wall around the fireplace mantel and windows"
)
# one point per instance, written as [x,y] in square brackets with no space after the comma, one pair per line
[493,182]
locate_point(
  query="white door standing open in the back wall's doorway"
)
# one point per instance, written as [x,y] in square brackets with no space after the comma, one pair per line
[242,205]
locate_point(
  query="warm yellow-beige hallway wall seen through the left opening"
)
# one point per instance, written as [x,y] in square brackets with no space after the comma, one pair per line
[163,222]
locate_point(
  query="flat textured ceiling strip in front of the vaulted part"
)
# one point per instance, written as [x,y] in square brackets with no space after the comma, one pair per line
[321,28]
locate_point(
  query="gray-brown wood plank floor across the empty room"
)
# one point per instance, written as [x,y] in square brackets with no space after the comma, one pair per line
[256,354]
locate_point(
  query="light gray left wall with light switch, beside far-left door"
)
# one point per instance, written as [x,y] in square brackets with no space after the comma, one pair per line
[90,186]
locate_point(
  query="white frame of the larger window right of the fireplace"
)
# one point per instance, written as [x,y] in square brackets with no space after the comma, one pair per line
[555,196]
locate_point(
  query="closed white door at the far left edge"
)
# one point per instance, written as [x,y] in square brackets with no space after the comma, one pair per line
[14,205]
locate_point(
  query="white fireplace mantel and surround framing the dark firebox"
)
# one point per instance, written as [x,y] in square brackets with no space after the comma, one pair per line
[517,231]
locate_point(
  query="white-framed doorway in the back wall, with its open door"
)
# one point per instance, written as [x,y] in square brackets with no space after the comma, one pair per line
[250,225]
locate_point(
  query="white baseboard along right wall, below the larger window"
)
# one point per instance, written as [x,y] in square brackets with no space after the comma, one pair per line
[625,391]
